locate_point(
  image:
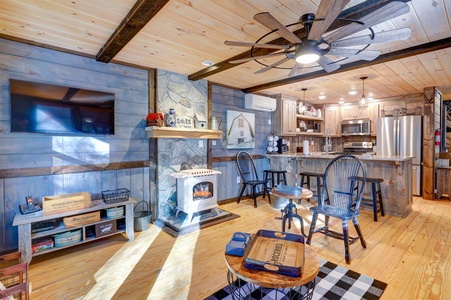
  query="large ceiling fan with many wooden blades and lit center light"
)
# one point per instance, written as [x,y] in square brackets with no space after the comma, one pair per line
[326,50]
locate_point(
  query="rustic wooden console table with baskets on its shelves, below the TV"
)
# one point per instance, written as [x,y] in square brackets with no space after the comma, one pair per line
[27,238]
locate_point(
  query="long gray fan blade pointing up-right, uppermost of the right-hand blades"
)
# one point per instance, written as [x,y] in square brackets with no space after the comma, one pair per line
[385,13]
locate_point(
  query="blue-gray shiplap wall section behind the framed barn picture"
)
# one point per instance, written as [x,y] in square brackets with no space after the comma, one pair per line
[224,99]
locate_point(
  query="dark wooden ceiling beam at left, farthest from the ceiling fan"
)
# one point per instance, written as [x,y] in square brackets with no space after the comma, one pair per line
[141,13]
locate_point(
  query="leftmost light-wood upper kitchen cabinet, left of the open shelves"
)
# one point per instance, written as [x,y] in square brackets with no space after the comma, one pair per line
[284,117]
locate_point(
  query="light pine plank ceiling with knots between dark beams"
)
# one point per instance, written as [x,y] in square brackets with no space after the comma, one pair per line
[177,35]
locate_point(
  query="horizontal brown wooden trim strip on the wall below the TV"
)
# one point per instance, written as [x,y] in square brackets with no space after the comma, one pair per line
[58,170]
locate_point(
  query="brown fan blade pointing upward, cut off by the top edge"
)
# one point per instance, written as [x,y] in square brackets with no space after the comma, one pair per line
[327,10]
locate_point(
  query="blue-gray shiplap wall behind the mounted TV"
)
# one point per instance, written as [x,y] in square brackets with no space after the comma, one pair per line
[25,150]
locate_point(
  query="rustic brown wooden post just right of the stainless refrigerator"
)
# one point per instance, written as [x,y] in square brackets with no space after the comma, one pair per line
[428,144]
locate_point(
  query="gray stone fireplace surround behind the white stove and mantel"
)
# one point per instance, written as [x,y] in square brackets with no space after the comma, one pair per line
[185,97]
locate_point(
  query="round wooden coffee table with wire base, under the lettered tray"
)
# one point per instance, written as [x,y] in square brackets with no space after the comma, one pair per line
[262,281]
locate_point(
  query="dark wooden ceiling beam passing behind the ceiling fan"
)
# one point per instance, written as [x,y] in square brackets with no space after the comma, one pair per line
[356,12]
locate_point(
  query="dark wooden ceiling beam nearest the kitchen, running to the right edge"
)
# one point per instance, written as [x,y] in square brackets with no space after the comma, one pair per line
[416,50]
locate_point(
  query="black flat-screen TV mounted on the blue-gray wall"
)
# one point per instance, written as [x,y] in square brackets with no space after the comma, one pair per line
[49,108]
